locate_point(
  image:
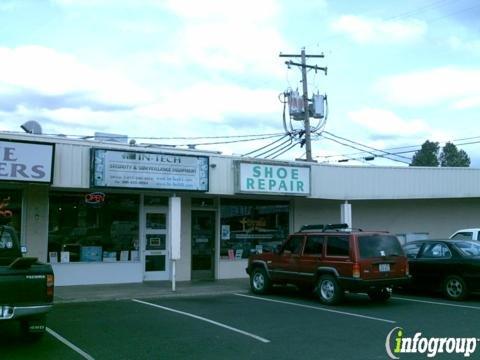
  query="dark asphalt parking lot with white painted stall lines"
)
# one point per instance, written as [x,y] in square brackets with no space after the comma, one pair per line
[283,325]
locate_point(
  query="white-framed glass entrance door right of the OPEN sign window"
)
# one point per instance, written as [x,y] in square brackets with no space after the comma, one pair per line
[155,245]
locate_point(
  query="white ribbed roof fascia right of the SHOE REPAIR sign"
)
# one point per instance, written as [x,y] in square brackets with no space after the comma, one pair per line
[349,183]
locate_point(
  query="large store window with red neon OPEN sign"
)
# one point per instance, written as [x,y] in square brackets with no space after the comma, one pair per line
[86,231]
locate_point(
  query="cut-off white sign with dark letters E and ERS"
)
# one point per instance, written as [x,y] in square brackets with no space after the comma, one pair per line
[22,161]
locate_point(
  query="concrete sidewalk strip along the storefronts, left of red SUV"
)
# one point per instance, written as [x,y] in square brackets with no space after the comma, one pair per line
[153,289]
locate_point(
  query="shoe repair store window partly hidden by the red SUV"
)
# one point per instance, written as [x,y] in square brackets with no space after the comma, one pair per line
[252,226]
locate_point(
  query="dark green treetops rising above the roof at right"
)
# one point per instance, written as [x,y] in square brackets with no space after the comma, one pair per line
[428,155]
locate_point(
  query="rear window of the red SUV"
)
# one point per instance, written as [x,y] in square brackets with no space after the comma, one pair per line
[379,245]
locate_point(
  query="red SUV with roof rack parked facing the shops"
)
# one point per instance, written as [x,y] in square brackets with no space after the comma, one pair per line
[331,259]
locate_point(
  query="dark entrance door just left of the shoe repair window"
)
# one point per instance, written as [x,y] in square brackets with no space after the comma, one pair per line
[203,245]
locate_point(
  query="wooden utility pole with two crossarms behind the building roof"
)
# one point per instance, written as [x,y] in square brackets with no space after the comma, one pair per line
[304,66]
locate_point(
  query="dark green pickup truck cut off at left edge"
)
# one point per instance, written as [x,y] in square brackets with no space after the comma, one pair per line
[26,286]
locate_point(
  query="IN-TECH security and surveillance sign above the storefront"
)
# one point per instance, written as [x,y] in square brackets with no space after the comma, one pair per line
[130,169]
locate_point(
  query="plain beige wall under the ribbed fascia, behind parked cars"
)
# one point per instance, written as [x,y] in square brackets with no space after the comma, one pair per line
[439,217]
